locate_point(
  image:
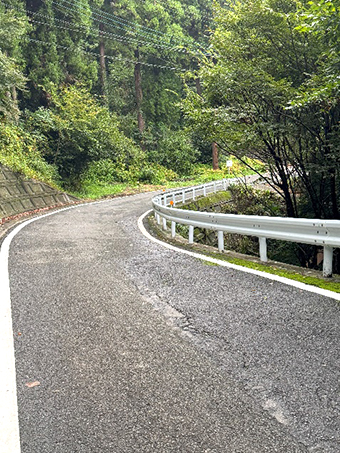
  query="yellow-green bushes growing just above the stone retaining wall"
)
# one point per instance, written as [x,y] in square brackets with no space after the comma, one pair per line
[21,151]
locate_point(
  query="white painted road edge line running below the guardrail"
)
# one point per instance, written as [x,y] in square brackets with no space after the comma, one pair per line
[277,278]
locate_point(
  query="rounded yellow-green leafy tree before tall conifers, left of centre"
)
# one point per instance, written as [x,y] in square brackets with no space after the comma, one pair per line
[79,130]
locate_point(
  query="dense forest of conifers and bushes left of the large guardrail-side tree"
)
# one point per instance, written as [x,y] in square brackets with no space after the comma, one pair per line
[91,90]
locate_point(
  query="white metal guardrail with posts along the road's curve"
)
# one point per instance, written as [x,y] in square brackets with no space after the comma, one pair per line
[325,233]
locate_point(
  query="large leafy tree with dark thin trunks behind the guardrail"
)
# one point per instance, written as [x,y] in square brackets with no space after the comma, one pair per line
[252,103]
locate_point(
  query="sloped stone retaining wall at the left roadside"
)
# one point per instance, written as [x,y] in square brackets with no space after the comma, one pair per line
[19,194]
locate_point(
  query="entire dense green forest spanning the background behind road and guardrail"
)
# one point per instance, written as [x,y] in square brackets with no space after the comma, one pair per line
[144,91]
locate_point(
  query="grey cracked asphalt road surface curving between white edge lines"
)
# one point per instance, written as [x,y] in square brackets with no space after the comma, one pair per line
[136,348]
